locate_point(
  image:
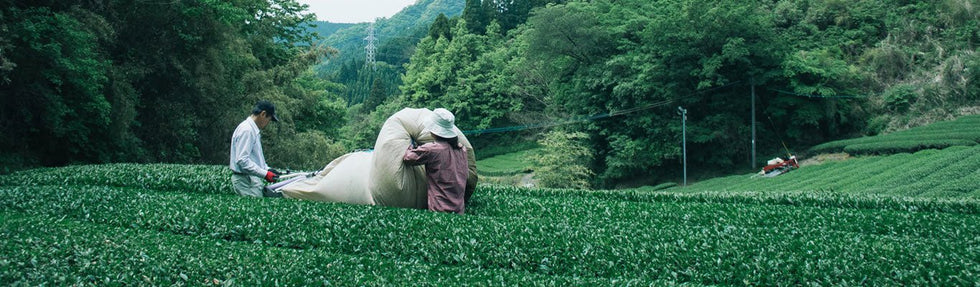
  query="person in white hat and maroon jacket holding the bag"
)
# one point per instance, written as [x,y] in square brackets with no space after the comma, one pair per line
[445,163]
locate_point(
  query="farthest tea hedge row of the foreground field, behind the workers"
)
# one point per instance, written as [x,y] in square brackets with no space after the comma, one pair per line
[214,180]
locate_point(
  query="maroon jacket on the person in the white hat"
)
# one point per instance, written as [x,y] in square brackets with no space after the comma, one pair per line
[446,169]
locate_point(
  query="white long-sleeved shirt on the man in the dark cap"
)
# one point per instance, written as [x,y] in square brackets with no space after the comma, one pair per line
[246,150]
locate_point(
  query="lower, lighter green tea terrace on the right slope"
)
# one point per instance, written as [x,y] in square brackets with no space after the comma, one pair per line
[949,173]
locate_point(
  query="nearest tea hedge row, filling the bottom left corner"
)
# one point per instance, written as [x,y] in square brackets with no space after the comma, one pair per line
[94,254]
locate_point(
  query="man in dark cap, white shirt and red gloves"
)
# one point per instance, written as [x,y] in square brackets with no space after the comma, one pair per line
[247,163]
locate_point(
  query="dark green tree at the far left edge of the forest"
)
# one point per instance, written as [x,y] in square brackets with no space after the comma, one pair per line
[54,105]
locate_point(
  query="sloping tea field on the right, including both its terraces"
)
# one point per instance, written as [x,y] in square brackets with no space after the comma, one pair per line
[940,161]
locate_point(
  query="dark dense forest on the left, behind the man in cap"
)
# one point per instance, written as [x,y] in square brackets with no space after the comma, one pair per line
[156,81]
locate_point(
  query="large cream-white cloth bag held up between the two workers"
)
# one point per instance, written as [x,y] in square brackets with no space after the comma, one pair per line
[380,177]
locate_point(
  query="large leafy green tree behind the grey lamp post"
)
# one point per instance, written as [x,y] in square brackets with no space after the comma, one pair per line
[681,55]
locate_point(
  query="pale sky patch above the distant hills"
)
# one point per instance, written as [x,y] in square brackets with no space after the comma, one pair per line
[355,11]
